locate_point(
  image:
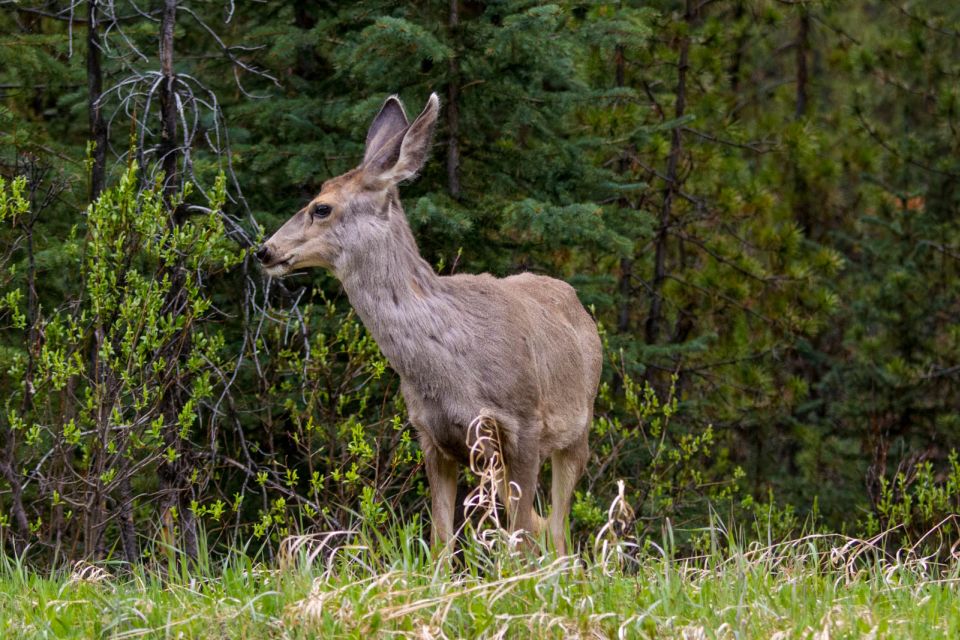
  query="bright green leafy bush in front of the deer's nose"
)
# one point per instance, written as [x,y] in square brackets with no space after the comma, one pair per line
[107,389]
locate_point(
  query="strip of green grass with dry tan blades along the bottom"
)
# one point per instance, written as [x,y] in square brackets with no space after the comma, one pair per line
[388,584]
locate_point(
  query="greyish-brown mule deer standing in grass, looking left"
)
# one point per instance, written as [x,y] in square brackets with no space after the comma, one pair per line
[522,350]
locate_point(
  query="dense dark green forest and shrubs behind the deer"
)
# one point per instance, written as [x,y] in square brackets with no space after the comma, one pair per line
[758,200]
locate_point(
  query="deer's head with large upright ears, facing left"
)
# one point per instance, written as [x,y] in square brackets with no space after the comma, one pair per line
[336,225]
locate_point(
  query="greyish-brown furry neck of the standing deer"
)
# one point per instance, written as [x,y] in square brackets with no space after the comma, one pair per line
[398,297]
